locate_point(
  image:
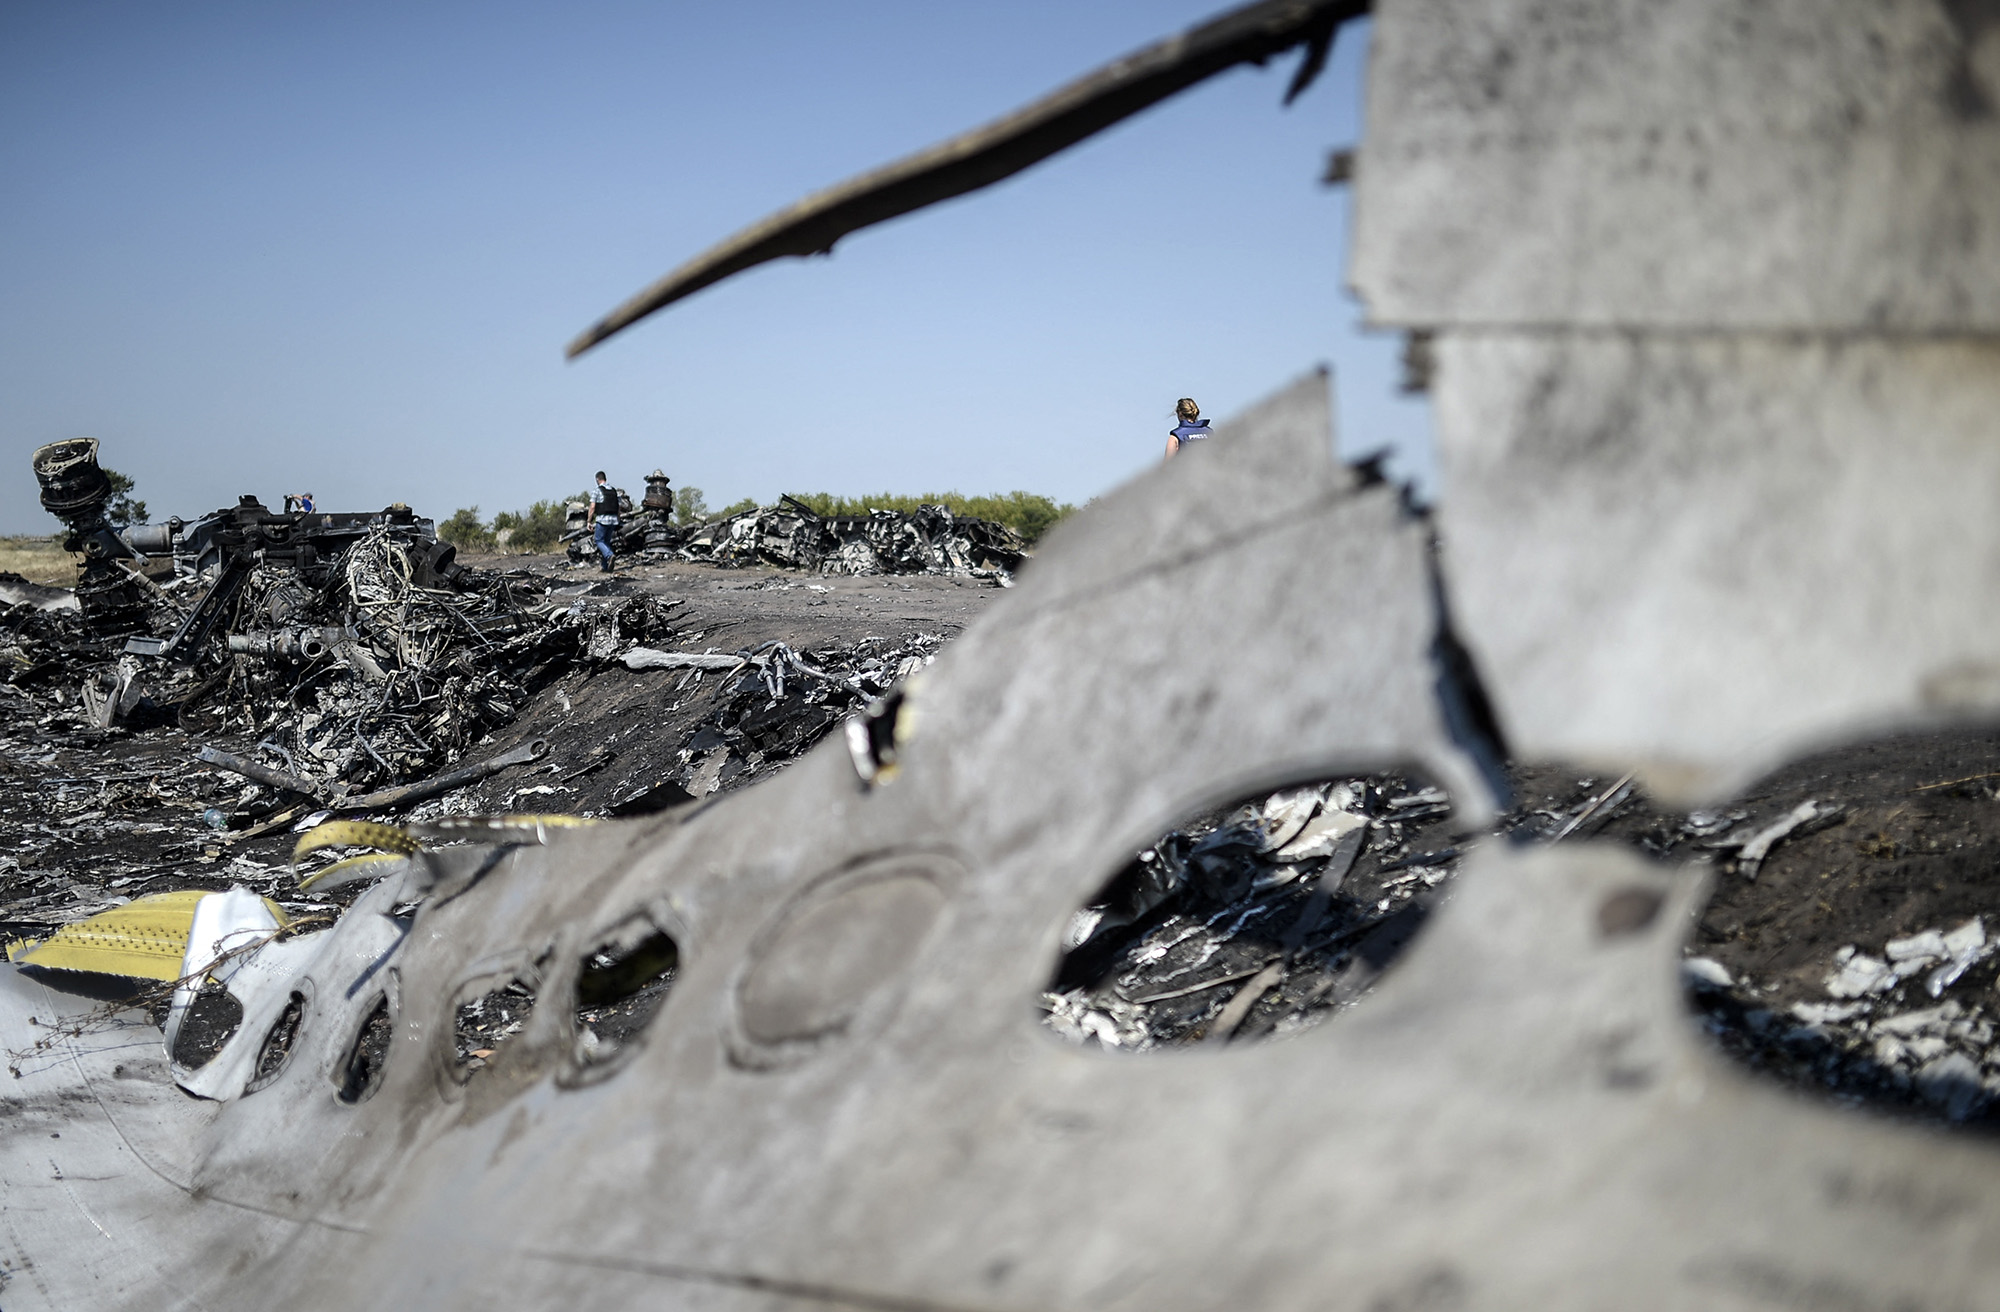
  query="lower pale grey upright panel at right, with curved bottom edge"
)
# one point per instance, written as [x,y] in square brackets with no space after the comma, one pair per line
[1707,555]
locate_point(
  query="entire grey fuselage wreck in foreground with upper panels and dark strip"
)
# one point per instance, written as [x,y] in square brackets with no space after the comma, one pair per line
[1711,295]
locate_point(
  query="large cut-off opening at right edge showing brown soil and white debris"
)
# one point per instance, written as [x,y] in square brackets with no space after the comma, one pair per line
[1851,947]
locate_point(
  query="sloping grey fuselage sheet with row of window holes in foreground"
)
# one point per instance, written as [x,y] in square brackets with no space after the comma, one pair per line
[849,1101]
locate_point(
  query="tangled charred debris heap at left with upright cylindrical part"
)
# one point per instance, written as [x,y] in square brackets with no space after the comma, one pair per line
[353,651]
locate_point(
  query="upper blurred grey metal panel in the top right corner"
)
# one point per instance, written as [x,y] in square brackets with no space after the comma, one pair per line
[1705,163]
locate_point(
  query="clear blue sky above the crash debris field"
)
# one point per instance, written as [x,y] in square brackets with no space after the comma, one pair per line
[269,247]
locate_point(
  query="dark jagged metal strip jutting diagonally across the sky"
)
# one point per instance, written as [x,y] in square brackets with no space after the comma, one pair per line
[1005,147]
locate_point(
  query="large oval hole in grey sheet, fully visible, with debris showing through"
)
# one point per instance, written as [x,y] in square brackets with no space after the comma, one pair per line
[1255,919]
